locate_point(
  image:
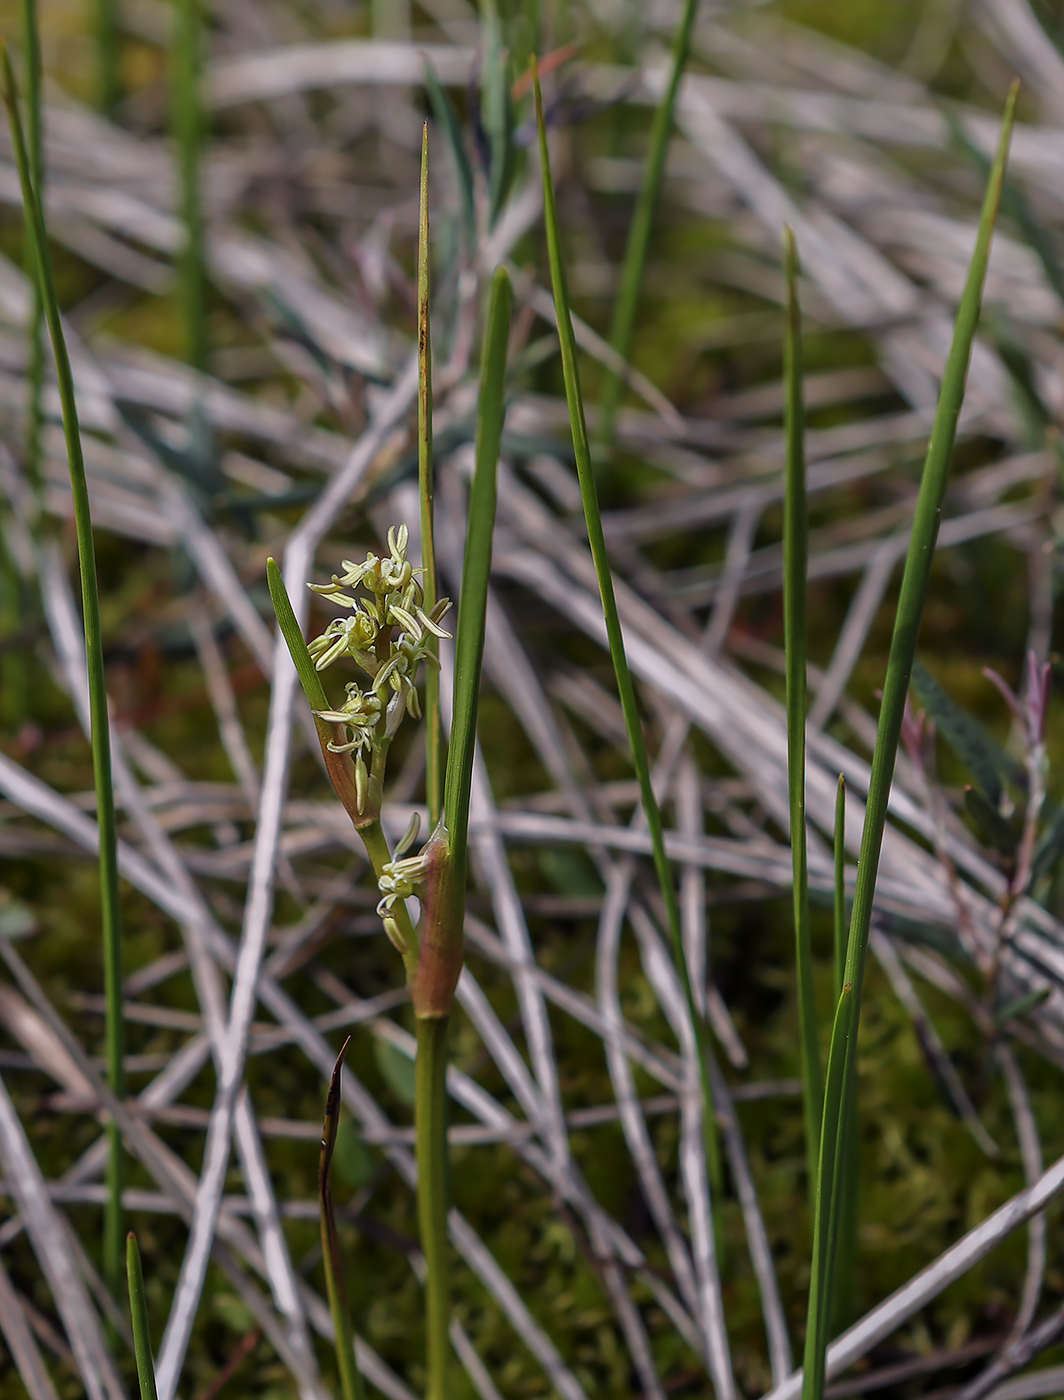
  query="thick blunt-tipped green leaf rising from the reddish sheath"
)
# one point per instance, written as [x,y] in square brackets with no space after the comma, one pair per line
[472,604]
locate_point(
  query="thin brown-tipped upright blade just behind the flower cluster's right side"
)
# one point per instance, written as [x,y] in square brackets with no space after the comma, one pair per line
[433,727]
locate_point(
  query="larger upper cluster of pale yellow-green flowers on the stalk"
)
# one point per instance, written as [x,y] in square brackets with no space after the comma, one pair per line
[388,633]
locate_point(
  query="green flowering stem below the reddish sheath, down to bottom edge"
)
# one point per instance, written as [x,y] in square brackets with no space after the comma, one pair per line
[430,1116]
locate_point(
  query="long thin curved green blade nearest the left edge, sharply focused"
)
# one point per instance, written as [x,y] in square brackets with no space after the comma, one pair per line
[110,909]
